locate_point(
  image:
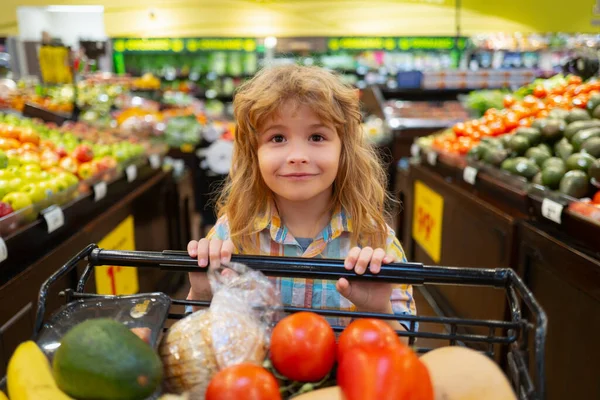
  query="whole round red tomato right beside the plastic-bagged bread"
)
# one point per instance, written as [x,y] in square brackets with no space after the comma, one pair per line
[303,347]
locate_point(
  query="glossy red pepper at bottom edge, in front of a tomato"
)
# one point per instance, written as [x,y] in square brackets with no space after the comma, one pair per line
[383,375]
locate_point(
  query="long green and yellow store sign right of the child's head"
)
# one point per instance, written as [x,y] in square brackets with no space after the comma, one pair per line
[397,43]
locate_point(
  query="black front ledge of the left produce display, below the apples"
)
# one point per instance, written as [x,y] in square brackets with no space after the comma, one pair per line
[30,242]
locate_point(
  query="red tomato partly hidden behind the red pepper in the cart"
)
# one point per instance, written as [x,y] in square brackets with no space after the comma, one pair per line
[369,333]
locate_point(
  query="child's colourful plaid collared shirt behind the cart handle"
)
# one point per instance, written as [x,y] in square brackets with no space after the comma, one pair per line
[333,242]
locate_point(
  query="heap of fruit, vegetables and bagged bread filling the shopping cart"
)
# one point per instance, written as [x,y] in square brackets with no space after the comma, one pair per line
[237,350]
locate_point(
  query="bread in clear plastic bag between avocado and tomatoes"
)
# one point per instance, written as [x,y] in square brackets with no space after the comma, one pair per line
[235,329]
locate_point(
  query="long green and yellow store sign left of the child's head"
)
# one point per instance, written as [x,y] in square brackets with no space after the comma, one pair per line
[189,45]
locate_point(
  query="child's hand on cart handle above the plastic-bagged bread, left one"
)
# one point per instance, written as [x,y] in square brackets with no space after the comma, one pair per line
[211,251]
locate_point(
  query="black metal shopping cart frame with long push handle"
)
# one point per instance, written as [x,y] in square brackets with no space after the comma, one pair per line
[521,336]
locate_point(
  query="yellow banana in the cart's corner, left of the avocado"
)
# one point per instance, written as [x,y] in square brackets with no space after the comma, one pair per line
[29,376]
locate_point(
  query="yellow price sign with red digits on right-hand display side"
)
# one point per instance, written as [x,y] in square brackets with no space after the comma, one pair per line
[427,220]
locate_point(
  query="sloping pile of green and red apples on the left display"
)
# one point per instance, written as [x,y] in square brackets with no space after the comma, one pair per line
[38,161]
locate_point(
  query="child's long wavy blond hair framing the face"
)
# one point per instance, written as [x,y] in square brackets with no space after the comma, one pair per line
[360,184]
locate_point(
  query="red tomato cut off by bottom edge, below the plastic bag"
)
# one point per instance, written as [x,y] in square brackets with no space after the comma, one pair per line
[243,382]
